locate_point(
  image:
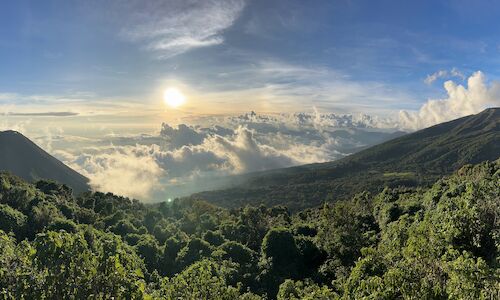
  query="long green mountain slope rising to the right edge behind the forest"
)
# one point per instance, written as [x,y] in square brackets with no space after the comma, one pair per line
[415,159]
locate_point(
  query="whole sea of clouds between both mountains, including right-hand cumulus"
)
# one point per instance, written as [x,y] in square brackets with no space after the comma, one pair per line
[184,158]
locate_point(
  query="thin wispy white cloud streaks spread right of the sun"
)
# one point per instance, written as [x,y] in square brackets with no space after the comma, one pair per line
[272,85]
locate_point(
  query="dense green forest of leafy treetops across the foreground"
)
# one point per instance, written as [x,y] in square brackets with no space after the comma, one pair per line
[437,242]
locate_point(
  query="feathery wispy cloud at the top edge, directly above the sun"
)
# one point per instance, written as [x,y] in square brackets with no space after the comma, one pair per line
[173,27]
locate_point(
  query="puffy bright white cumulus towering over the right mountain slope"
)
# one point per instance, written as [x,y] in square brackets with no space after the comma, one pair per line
[461,101]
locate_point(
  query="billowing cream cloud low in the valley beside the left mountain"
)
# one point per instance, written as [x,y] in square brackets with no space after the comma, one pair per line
[148,172]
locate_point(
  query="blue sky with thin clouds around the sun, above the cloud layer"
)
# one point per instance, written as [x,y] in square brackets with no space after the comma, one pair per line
[92,58]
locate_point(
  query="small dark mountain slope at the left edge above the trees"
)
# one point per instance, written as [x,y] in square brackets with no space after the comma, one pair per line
[22,157]
